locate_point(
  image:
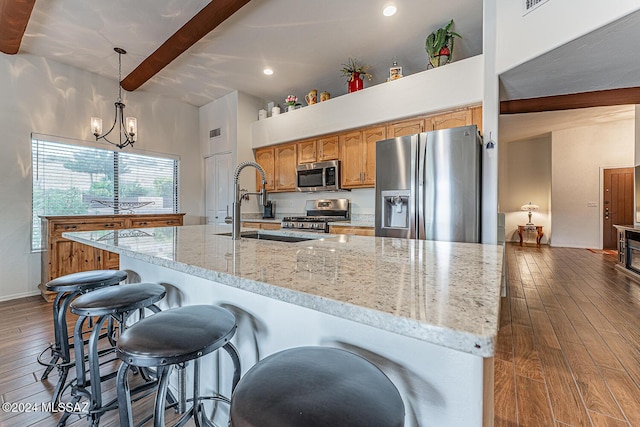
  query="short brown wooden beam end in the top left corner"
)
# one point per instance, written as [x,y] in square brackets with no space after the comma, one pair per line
[14,17]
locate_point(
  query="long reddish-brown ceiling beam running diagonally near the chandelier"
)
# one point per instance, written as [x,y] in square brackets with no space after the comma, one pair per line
[199,26]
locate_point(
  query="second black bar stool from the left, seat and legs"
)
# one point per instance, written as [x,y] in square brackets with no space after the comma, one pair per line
[112,303]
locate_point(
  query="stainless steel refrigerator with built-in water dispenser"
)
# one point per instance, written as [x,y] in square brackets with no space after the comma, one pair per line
[428,185]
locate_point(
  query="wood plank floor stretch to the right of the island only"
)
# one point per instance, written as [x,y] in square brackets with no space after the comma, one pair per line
[569,345]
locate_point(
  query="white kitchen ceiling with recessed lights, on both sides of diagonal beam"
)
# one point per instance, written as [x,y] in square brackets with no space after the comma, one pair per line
[304,41]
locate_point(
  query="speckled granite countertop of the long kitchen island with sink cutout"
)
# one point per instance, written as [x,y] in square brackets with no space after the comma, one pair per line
[440,292]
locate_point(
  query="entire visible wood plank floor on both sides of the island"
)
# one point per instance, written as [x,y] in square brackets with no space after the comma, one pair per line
[568,351]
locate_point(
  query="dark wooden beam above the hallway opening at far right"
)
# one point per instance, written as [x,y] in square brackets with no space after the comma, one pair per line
[599,98]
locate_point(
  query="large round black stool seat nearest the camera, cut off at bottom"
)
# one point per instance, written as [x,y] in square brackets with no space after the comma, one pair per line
[316,387]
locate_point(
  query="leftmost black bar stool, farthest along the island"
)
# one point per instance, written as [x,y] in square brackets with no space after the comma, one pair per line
[67,288]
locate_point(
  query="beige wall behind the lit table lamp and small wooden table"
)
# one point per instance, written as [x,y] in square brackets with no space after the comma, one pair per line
[525,176]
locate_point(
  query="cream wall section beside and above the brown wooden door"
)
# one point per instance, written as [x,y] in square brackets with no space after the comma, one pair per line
[577,159]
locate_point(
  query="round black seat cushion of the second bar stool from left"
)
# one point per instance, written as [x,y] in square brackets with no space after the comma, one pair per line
[118,299]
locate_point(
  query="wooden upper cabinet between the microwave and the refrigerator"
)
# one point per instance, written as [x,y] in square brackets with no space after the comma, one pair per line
[359,157]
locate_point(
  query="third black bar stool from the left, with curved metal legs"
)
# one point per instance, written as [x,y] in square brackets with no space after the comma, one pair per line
[174,337]
